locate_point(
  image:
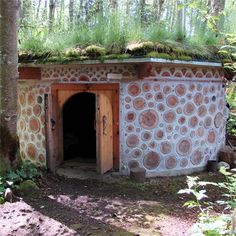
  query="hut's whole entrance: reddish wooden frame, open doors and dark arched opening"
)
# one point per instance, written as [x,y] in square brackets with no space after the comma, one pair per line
[67,103]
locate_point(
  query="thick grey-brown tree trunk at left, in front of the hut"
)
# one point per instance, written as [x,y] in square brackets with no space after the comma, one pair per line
[8,81]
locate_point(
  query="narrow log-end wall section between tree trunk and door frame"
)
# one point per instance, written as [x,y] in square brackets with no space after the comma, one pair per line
[31,127]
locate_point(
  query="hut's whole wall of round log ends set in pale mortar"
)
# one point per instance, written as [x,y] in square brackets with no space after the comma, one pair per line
[171,122]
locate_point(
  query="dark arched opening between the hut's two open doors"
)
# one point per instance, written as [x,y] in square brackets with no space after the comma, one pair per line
[79,133]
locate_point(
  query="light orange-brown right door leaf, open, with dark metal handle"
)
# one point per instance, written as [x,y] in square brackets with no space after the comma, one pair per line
[104,132]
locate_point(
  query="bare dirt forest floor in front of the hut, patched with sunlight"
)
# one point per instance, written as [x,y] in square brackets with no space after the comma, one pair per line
[94,207]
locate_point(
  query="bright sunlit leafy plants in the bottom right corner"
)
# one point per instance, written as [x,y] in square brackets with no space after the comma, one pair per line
[212,224]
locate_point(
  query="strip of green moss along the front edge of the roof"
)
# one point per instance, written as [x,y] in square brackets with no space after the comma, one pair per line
[167,50]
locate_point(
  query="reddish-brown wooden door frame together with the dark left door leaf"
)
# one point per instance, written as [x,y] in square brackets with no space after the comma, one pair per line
[54,120]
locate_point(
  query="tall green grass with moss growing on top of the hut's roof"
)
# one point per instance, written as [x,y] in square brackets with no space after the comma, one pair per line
[114,34]
